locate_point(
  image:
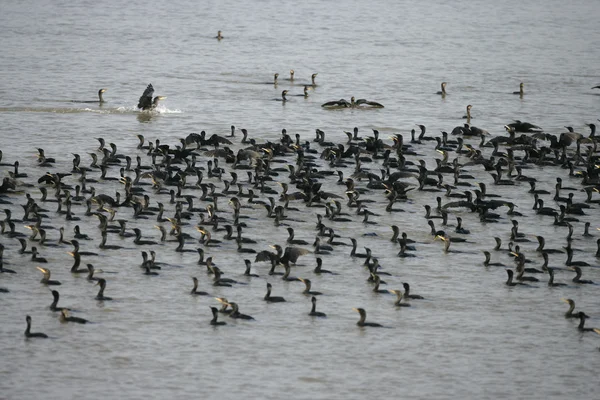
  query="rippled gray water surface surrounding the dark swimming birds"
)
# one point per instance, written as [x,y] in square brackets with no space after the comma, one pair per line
[472,336]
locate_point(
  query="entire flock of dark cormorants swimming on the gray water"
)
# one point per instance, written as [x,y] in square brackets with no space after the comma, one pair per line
[211,170]
